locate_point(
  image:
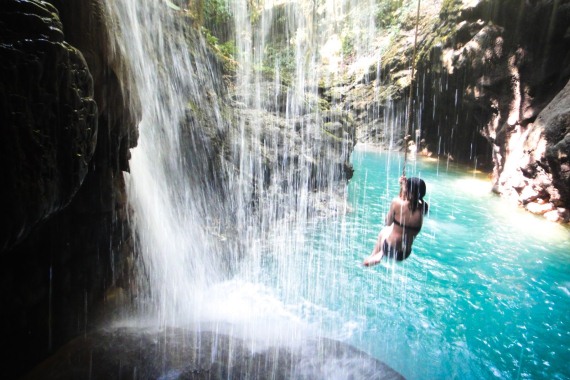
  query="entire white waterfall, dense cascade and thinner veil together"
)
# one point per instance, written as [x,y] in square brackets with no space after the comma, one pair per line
[178,212]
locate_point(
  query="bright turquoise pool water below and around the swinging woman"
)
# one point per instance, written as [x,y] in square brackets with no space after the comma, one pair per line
[485,294]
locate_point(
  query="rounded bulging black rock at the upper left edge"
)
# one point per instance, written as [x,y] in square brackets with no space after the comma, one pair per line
[49,117]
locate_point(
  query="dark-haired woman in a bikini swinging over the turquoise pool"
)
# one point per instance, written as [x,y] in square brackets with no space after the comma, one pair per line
[404,222]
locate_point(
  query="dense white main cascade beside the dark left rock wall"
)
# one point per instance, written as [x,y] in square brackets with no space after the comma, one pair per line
[175,200]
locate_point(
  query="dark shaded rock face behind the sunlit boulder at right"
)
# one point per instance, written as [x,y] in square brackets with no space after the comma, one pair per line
[503,61]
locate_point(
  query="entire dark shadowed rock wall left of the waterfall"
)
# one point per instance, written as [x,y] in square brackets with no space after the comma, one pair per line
[64,144]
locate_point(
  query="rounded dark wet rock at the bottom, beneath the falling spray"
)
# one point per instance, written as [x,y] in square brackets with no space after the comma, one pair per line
[130,353]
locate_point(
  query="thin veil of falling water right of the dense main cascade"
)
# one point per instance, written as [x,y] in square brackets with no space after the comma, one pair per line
[304,181]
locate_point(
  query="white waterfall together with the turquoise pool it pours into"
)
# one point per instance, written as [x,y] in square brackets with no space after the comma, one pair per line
[484,294]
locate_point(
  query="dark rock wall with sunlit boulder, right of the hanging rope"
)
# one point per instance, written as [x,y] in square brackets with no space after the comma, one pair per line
[498,66]
